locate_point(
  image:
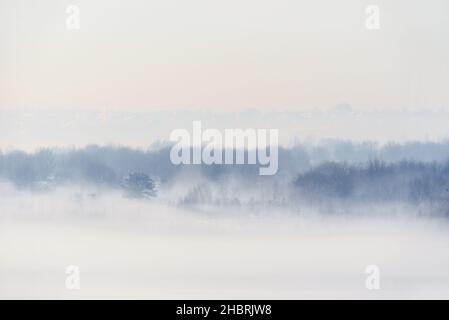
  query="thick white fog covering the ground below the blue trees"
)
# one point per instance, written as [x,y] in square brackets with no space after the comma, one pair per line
[140,248]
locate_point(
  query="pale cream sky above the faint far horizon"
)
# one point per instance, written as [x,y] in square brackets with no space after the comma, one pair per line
[145,55]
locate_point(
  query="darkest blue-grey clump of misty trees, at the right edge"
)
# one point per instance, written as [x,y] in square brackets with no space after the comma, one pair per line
[376,181]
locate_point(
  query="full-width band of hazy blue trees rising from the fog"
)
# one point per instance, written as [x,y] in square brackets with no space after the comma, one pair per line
[335,172]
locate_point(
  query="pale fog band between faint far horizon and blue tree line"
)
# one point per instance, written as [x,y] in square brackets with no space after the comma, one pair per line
[31,129]
